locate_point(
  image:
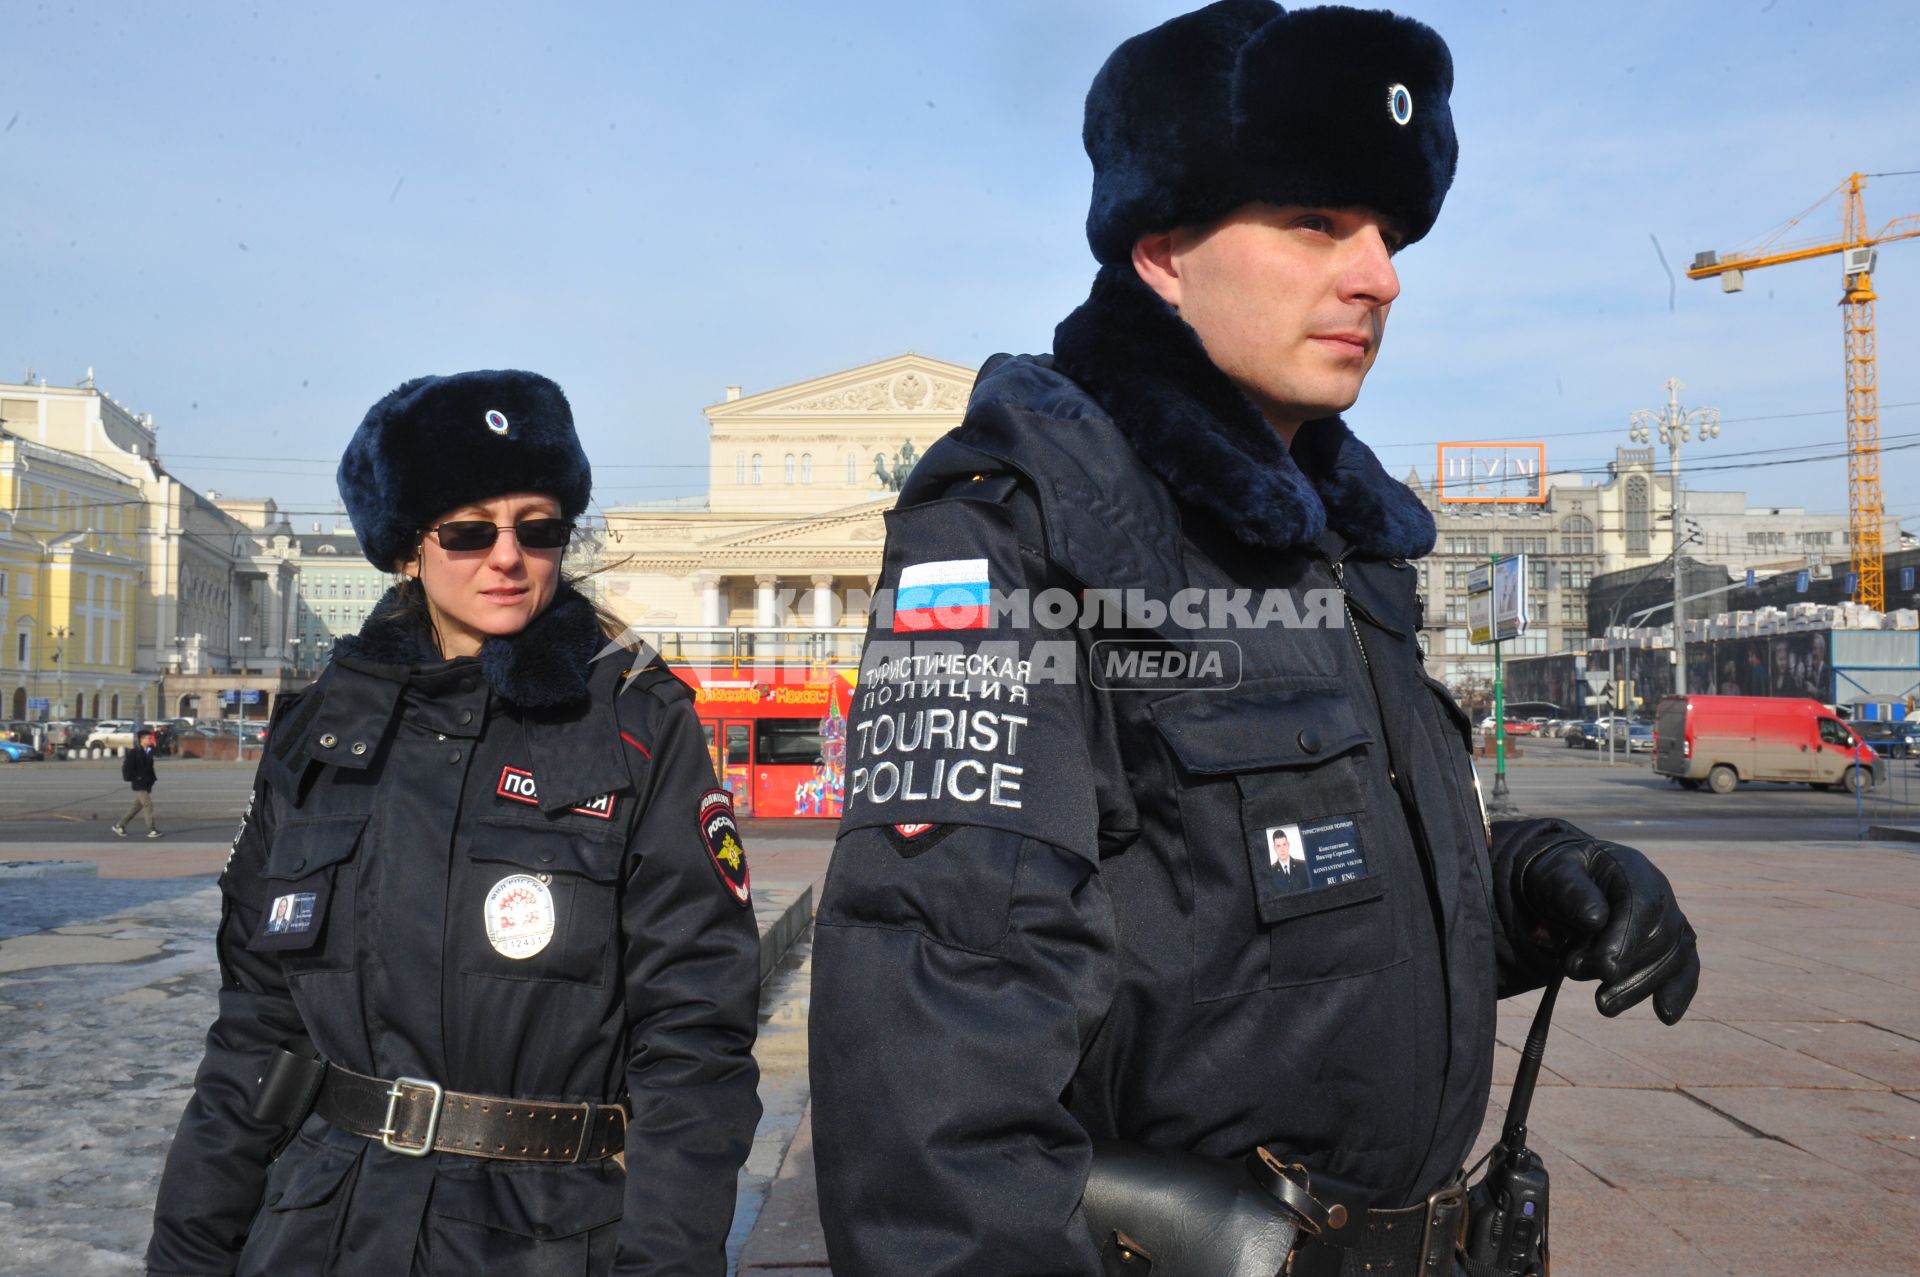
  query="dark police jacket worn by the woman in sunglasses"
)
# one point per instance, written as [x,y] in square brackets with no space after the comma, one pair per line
[393,804]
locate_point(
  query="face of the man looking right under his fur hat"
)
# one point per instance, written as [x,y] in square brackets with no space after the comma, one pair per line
[1291,302]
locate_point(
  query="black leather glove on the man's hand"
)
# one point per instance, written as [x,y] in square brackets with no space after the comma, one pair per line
[1612,917]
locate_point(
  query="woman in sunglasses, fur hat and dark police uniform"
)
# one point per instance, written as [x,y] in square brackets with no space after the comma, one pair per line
[491,894]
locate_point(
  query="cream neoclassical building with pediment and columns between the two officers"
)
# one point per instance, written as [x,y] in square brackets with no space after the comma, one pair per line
[790,531]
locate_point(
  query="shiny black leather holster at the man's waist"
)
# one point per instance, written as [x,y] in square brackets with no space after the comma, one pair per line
[1180,1215]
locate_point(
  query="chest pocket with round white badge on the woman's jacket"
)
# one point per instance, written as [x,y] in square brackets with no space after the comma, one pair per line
[537,902]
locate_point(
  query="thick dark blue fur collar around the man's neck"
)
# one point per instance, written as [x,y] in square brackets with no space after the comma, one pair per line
[1211,445]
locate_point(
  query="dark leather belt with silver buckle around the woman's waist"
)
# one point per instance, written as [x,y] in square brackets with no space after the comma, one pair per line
[414,1117]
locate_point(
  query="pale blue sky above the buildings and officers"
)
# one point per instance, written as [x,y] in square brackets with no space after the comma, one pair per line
[252,220]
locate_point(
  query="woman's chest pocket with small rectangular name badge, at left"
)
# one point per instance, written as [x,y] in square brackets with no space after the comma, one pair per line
[306,907]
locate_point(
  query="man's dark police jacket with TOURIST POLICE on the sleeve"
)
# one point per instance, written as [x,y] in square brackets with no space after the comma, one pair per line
[1186,852]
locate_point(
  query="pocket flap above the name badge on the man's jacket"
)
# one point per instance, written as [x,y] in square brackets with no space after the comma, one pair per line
[1259,727]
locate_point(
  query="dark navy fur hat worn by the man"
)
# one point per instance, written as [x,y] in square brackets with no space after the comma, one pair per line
[1243,101]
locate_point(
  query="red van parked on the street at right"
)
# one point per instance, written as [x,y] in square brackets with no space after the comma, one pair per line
[1725,740]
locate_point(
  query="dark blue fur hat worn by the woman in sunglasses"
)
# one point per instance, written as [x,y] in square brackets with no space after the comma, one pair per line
[439,443]
